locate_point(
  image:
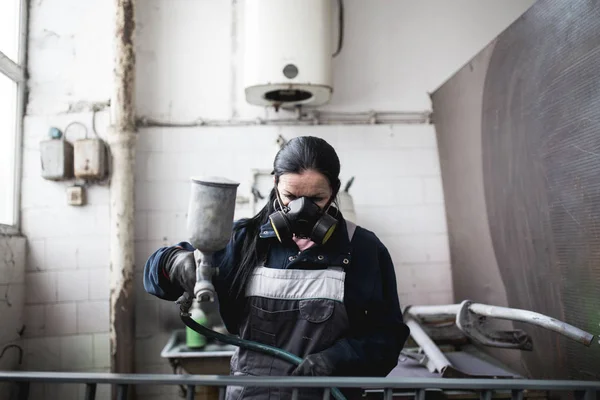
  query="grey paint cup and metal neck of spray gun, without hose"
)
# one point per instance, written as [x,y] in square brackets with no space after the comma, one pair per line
[210,225]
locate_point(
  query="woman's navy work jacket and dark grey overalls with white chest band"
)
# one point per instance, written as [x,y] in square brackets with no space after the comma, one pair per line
[340,297]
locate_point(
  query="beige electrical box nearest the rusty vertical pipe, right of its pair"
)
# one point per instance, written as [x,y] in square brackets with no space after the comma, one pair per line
[90,159]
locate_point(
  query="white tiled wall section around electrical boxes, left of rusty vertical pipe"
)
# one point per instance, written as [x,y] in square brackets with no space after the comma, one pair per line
[66,278]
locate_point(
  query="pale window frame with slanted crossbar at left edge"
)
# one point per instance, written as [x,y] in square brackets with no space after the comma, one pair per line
[16,71]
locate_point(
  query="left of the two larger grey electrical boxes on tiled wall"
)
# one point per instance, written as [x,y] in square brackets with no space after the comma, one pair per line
[56,156]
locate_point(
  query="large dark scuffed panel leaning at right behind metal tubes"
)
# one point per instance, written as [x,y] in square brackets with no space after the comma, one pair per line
[539,141]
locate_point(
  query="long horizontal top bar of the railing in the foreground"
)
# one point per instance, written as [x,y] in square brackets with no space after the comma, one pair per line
[299,382]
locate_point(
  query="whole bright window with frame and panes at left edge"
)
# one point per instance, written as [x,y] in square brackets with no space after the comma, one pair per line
[12,95]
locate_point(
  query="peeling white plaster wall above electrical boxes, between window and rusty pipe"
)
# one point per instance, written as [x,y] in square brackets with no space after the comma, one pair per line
[70,54]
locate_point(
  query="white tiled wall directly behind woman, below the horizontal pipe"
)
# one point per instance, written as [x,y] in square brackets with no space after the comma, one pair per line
[396,191]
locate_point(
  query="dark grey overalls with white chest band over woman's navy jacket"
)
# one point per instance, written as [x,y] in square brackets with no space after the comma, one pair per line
[300,311]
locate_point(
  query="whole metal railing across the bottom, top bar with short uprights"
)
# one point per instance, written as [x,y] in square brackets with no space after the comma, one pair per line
[387,388]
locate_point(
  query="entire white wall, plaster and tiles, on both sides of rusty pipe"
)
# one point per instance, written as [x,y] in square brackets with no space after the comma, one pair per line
[188,67]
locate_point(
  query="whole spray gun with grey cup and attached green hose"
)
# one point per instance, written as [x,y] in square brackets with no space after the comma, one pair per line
[210,225]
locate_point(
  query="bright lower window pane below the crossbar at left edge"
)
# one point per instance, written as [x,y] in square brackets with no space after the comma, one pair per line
[8,127]
